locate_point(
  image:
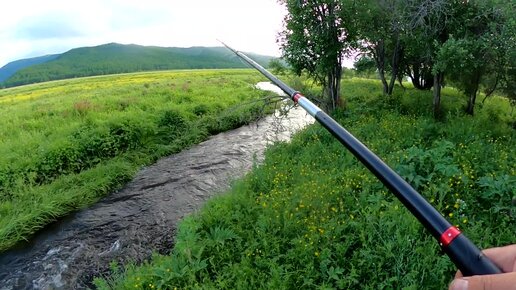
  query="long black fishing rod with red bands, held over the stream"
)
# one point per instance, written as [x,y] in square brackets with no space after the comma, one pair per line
[463,253]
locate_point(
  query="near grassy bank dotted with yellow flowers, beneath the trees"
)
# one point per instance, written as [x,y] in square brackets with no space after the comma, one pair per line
[312,217]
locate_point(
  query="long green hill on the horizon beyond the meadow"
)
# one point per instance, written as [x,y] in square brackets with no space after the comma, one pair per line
[116,58]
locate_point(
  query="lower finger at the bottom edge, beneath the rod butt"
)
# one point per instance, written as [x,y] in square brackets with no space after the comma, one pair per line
[506,281]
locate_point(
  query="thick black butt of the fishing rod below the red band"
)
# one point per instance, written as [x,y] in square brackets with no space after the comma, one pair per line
[468,258]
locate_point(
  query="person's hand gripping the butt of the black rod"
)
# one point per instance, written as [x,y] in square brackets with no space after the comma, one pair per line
[505,258]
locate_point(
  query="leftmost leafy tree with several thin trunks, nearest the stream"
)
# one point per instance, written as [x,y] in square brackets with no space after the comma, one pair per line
[316,36]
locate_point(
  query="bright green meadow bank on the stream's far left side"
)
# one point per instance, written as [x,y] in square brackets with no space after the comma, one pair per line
[65,144]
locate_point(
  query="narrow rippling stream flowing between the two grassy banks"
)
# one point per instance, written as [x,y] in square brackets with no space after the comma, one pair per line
[130,224]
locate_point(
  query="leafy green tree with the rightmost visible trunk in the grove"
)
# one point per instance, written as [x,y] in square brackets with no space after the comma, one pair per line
[477,48]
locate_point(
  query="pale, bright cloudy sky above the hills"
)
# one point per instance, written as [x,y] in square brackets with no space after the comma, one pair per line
[31,28]
